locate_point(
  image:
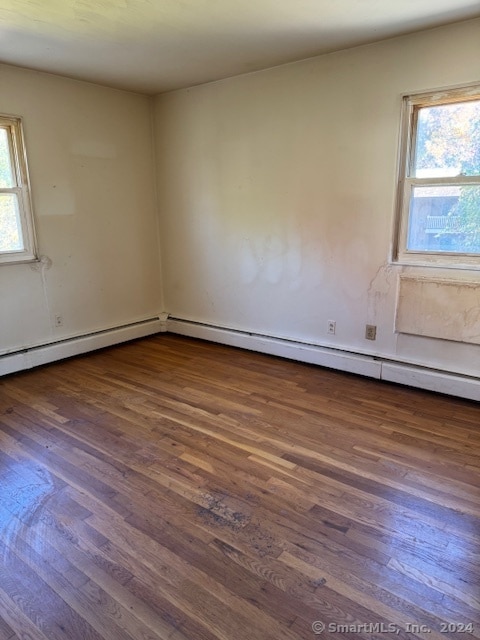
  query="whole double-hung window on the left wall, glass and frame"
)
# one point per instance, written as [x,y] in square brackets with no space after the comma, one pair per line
[17,242]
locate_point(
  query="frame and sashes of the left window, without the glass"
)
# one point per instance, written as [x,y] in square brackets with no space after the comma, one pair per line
[18,157]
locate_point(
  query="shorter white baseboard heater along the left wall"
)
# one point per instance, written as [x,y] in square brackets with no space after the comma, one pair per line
[35,356]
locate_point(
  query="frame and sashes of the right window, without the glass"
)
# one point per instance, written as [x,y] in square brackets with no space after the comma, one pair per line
[411,103]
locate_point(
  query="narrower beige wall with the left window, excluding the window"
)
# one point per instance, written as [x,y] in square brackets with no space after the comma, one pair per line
[90,157]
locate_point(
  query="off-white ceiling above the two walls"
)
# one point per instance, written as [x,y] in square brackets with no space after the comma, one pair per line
[153,46]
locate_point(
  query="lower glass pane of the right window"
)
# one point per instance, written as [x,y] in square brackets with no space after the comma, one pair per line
[445,218]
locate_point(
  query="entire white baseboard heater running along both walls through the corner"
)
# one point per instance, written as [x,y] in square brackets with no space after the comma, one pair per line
[374,367]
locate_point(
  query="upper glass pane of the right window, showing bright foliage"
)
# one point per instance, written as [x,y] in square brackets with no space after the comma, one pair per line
[448,140]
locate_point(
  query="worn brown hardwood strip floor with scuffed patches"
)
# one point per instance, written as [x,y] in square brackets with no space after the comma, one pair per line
[170,488]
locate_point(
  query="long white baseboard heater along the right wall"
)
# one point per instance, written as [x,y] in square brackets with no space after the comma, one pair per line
[372,366]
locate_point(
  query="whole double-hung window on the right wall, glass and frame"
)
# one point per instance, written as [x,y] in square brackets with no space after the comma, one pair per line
[439,182]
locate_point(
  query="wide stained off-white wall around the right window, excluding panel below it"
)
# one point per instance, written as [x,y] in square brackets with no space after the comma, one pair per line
[277,195]
